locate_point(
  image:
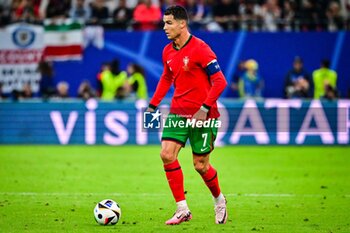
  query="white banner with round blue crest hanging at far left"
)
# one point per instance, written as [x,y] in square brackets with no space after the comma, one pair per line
[21,47]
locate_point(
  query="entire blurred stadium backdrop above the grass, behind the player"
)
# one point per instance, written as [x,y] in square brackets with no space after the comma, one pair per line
[55,55]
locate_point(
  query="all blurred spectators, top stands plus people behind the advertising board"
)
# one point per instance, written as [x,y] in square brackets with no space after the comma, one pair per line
[209,15]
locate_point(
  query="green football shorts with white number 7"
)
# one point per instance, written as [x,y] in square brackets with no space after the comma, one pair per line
[179,129]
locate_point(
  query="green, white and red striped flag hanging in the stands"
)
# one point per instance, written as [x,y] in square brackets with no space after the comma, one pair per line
[63,40]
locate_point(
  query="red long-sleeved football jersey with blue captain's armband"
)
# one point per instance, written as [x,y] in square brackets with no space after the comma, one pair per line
[196,76]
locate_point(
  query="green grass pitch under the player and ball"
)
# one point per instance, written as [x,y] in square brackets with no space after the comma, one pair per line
[269,189]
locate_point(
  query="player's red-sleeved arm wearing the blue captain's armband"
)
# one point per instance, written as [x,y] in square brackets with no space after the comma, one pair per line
[218,82]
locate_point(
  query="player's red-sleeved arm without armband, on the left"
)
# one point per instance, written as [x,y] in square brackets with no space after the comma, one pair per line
[164,84]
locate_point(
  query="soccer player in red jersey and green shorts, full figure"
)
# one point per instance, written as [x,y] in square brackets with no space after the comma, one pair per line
[191,66]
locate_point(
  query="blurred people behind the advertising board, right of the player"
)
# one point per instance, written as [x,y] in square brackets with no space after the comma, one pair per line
[298,83]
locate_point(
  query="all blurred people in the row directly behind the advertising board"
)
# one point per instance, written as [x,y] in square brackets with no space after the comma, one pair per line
[116,84]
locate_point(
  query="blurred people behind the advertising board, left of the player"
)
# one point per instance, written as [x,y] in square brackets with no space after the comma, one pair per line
[112,84]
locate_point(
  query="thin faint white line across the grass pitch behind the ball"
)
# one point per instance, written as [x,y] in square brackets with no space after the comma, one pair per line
[164,194]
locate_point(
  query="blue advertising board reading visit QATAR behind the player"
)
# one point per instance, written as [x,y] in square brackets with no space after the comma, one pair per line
[273,121]
